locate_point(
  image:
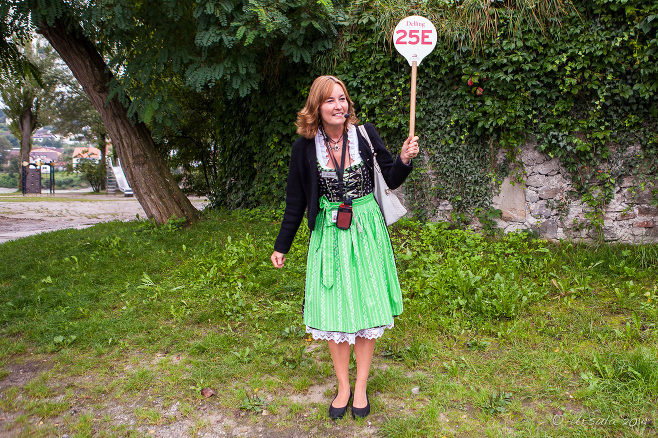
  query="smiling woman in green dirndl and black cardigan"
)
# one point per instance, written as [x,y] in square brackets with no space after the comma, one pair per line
[352,290]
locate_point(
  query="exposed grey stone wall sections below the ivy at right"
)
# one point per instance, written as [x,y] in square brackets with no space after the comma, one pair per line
[539,202]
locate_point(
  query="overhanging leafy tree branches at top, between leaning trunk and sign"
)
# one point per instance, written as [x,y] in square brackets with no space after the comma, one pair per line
[232,47]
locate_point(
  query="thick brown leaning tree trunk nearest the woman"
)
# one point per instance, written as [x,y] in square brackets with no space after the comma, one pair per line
[145,168]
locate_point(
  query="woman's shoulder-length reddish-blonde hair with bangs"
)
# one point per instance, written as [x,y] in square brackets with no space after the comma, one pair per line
[308,119]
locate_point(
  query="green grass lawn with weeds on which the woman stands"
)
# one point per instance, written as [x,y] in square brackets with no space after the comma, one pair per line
[121,329]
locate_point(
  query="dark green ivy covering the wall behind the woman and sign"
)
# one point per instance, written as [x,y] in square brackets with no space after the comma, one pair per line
[584,91]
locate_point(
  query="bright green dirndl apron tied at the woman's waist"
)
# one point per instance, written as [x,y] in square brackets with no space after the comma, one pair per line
[351,279]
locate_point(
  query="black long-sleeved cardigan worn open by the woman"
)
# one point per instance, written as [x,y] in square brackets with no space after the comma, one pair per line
[303,187]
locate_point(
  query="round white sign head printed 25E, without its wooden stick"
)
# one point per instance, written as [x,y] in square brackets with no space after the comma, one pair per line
[415,38]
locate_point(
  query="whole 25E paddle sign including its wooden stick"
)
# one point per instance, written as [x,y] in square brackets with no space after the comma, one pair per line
[415,38]
